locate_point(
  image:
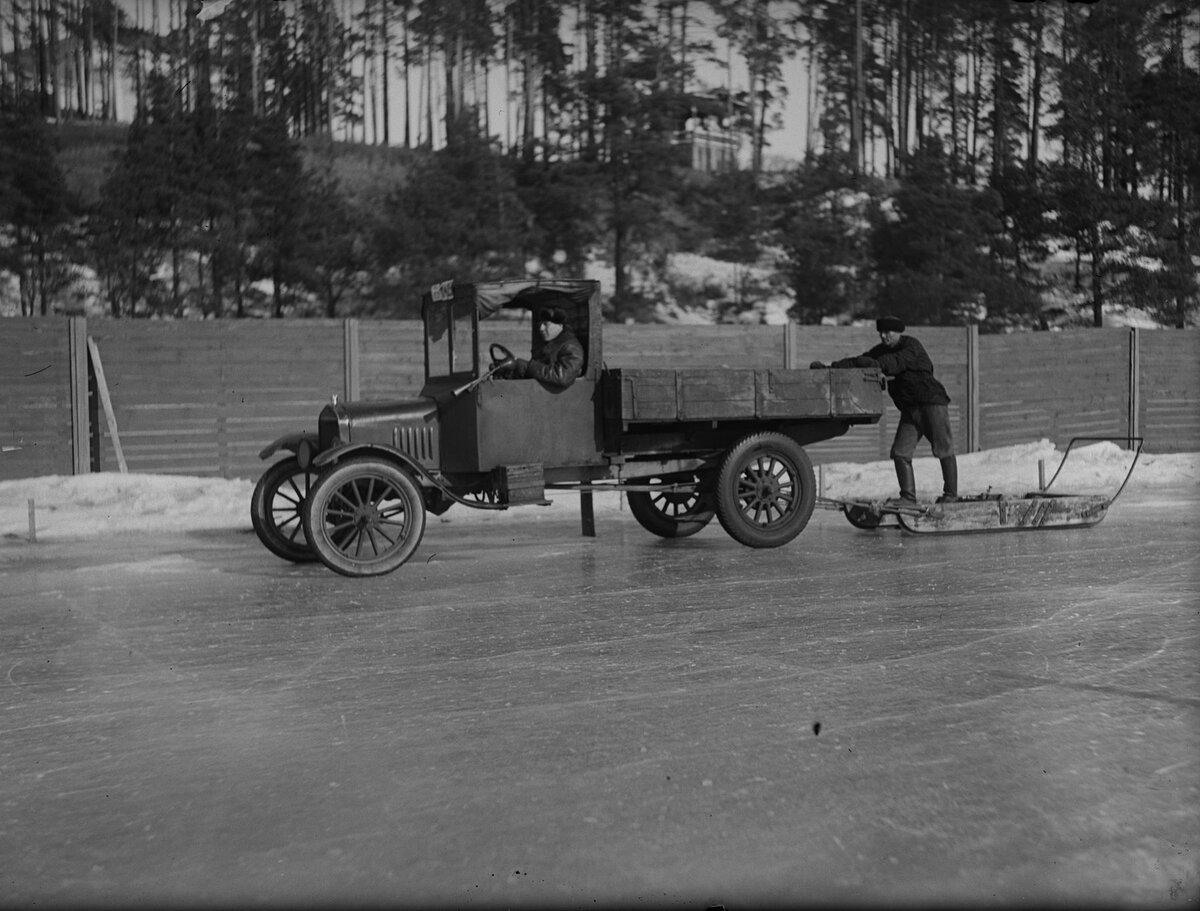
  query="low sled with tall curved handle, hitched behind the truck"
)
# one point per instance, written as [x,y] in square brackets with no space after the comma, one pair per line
[991,512]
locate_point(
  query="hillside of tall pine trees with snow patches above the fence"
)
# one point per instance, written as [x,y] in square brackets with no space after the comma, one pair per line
[1011,165]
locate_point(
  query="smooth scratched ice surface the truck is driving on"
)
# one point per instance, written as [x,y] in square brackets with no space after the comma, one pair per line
[526,717]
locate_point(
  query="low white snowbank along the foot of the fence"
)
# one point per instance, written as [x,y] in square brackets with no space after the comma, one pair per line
[97,506]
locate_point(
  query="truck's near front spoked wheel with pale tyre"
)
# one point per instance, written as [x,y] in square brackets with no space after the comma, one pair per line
[365,518]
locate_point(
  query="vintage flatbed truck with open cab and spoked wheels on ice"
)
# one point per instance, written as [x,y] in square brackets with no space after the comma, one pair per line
[685,446]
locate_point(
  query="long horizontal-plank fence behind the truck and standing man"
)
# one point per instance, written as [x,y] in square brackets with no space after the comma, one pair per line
[203,398]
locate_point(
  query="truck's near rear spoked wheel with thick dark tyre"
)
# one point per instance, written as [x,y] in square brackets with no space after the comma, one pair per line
[765,490]
